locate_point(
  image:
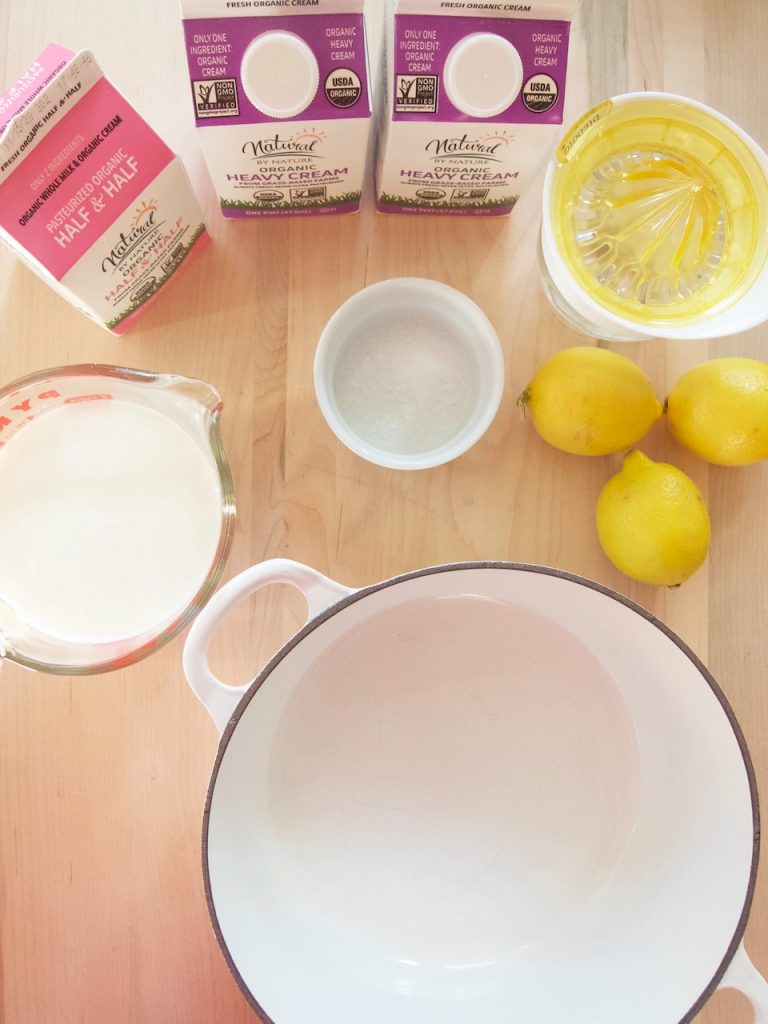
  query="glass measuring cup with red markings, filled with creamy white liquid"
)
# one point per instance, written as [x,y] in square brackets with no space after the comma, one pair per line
[117,515]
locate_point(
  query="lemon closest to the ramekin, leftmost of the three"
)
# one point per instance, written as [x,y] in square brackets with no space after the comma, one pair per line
[591,402]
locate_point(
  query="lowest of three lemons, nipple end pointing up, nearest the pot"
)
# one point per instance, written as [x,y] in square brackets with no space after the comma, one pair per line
[653,523]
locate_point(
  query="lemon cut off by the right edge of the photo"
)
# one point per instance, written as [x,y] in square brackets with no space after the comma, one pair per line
[719,410]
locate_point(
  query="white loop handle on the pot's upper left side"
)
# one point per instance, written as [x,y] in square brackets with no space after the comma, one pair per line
[219,698]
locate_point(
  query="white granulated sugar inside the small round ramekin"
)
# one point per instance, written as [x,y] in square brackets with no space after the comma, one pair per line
[407,385]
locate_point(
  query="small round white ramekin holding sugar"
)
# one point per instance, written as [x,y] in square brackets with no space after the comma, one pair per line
[409,393]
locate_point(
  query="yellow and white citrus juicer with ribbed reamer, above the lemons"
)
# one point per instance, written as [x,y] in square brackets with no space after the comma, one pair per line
[655,221]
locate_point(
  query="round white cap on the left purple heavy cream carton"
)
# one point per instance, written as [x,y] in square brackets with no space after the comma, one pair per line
[280,74]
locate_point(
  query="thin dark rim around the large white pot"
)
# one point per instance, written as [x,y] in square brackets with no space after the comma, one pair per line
[364,592]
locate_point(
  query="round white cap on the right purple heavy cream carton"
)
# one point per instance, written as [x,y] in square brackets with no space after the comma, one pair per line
[483,75]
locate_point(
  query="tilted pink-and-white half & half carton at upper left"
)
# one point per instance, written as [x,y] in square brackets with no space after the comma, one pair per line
[91,198]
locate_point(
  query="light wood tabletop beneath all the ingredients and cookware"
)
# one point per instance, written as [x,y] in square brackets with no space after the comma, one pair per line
[103,780]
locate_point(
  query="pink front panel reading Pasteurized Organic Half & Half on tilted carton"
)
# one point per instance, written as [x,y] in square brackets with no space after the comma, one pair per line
[80,179]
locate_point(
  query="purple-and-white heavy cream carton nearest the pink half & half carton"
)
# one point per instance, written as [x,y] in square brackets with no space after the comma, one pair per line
[281,97]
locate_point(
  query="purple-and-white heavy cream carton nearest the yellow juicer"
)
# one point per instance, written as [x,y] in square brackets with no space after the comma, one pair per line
[474,103]
